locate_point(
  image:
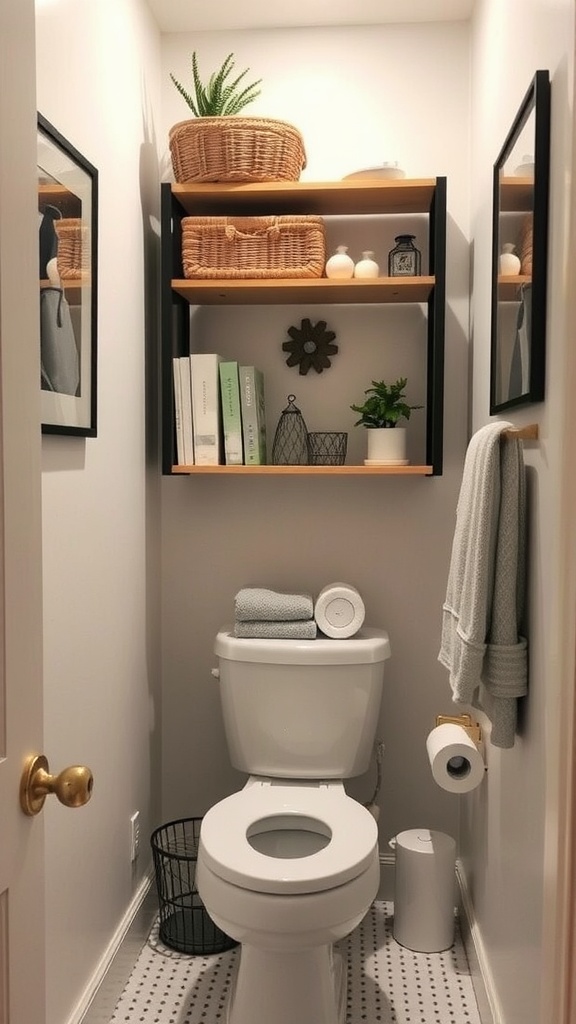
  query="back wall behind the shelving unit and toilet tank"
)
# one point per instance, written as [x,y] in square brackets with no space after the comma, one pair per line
[359,97]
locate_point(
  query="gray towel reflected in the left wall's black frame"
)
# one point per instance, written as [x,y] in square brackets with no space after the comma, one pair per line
[60,363]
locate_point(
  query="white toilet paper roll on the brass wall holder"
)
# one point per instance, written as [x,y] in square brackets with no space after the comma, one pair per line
[457,763]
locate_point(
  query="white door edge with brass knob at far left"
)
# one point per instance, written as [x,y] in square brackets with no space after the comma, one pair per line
[22,851]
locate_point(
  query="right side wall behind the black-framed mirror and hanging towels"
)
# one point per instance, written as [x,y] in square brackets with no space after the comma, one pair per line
[510,829]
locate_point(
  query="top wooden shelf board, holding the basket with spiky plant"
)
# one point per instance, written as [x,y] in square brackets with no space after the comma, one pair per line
[324,198]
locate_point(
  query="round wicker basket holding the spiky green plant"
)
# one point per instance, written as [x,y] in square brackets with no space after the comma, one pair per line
[235,149]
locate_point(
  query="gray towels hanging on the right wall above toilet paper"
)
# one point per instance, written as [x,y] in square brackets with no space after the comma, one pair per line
[481,646]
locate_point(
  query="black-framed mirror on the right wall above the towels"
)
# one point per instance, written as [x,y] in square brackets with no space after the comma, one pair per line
[519,254]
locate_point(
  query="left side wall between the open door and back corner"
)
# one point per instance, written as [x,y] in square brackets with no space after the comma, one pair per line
[98,83]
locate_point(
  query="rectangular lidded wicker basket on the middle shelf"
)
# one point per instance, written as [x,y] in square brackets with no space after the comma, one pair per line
[254,247]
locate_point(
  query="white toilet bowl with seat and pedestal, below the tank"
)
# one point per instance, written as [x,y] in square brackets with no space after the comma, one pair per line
[289,870]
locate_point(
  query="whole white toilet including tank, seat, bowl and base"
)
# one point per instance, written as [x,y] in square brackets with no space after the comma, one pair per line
[290,865]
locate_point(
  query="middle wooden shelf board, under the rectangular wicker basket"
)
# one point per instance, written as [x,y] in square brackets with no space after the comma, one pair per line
[271,291]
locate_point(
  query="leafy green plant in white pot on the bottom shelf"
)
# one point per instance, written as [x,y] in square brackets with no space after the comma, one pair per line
[381,414]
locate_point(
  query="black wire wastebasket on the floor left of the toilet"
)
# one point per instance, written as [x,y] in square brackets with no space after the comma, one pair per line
[185,924]
